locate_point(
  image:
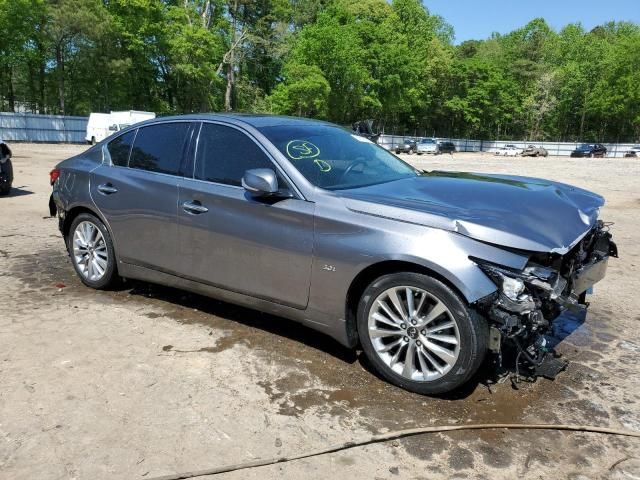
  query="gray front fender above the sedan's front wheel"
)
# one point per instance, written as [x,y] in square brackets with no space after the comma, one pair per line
[345,249]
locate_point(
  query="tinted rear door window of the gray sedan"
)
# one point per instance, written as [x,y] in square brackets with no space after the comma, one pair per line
[159,148]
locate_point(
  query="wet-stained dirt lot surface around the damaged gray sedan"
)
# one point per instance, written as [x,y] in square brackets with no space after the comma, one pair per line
[149,381]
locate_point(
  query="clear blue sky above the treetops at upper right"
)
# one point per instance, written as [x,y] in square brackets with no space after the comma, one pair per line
[477,19]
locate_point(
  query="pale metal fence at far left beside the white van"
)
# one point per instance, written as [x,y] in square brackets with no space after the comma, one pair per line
[31,127]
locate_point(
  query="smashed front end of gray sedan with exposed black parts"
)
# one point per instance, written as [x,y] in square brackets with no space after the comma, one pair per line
[521,312]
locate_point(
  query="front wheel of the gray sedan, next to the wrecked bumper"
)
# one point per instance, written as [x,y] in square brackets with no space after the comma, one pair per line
[418,334]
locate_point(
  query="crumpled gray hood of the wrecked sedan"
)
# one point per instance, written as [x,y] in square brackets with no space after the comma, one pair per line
[517,212]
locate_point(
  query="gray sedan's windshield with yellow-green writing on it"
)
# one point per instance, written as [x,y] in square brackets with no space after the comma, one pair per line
[332,158]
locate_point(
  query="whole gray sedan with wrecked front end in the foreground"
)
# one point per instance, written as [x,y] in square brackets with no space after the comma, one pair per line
[425,271]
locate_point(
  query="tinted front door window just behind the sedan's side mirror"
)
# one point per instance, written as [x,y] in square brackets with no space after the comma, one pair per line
[224,154]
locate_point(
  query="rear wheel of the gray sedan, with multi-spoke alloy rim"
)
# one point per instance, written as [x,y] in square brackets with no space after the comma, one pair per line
[91,250]
